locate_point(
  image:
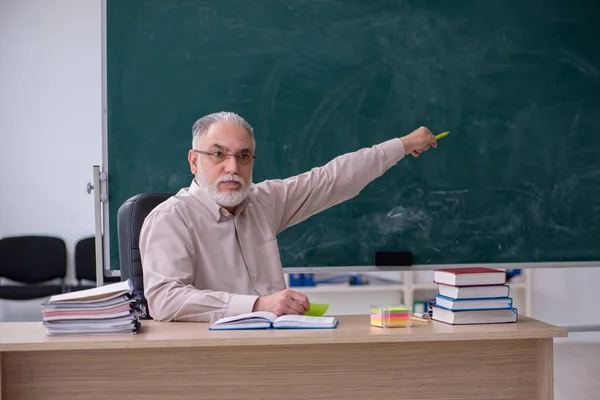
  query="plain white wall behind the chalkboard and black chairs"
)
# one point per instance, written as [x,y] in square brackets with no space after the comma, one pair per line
[50,137]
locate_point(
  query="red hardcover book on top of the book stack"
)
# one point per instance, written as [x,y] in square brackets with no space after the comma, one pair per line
[472,276]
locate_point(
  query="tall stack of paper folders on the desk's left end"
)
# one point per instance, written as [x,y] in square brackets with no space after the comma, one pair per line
[103,310]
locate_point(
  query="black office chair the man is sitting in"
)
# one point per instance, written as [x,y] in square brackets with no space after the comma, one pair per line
[130,218]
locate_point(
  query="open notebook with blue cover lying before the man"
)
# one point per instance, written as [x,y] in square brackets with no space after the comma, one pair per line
[267,320]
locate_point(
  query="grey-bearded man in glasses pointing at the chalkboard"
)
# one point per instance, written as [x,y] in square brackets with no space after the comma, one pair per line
[210,251]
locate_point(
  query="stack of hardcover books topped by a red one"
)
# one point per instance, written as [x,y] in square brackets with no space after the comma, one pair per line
[473,296]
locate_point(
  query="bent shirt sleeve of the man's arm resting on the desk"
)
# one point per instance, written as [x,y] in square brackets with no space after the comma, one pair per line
[167,255]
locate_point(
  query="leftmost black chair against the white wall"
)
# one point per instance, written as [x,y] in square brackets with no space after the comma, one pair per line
[31,262]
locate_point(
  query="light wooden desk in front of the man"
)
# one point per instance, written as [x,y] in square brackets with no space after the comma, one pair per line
[354,361]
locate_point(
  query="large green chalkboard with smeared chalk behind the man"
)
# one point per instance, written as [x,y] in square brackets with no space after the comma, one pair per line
[516,82]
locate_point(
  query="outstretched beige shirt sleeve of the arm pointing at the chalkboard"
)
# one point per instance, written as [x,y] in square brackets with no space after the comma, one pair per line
[295,199]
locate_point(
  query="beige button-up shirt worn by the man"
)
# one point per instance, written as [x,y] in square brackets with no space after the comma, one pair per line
[202,263]
